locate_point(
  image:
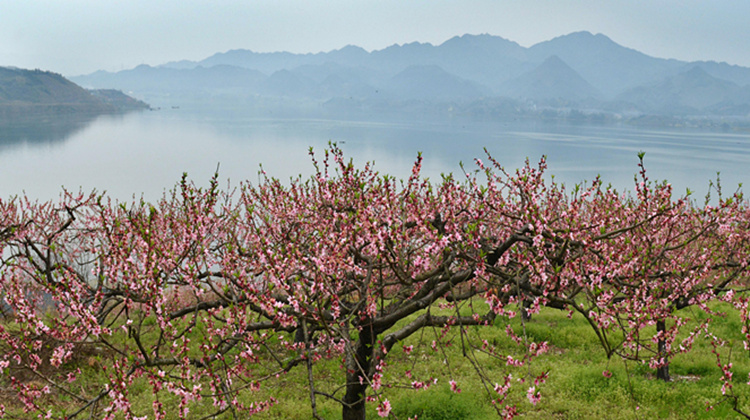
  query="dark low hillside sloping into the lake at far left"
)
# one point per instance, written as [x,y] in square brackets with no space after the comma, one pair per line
[24,92]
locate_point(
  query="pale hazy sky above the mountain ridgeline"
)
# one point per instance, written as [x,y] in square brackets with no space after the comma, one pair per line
[80,36]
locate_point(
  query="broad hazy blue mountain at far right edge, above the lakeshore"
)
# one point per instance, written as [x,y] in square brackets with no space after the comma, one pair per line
[690,92]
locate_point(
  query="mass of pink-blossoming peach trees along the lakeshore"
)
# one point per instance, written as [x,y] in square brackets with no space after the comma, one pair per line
[208,297]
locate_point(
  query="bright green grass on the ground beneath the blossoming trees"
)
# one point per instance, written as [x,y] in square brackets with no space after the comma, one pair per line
[576,388]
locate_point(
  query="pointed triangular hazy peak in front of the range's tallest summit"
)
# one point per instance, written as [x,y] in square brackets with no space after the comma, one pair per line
[551,80]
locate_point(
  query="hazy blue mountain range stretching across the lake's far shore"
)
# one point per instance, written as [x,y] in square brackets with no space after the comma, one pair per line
[580,71]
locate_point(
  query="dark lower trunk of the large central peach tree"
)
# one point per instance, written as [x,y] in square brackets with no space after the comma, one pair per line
[358,366]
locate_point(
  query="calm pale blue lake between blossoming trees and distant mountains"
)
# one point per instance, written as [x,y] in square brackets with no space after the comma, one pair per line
[146,152]
